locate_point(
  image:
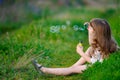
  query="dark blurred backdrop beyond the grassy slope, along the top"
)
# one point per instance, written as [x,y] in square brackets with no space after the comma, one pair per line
[14,13]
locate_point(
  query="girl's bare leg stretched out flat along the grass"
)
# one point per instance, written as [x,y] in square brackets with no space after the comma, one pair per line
[64,71]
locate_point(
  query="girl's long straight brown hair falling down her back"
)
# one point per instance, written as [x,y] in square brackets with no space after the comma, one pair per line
[103,38]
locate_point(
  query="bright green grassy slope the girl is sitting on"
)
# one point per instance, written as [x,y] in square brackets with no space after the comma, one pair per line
[35,41]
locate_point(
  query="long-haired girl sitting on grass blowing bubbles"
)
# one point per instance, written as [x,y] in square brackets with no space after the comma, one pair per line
[101,45]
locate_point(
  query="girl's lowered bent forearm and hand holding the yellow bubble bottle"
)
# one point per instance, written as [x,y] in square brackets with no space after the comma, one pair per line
[85,56]
